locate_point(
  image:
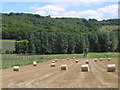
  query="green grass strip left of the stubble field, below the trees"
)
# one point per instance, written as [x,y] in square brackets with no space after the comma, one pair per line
[9,60]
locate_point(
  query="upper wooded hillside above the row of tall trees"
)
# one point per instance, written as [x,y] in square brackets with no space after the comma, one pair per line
[16,23]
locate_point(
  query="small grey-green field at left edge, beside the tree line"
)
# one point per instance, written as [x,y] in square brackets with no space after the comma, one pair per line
[8,44]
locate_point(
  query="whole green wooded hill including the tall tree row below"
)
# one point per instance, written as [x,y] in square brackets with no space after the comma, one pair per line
[60,35]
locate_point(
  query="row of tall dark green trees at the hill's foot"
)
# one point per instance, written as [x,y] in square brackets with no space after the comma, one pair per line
[63,42]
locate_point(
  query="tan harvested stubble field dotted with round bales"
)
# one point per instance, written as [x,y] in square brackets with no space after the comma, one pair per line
[45,76]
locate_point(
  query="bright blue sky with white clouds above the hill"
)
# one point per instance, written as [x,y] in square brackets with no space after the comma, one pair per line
[97,9]
